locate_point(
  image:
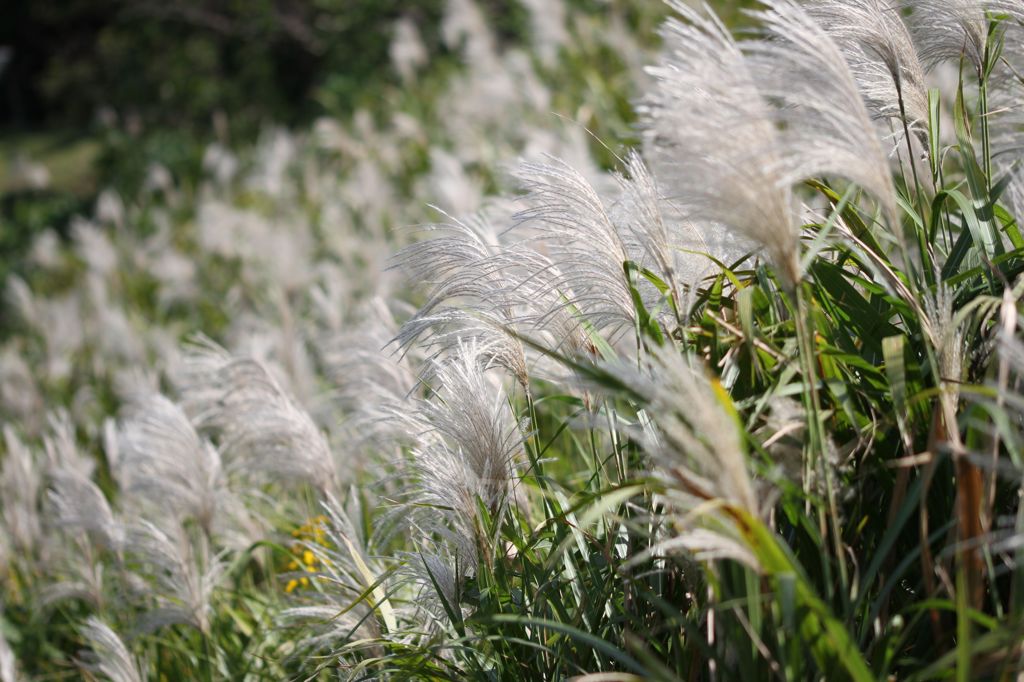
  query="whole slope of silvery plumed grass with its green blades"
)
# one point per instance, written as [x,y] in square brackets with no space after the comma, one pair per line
[746,407]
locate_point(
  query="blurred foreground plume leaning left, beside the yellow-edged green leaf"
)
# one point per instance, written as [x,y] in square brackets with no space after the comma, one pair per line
[697,450]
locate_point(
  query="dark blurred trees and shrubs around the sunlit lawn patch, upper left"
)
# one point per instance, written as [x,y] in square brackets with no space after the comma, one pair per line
[154,80]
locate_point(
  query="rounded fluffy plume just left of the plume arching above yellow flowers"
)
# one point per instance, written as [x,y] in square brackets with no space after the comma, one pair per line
[163,461]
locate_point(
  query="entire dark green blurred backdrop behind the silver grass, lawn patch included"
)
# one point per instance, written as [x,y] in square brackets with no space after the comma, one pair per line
[94,94]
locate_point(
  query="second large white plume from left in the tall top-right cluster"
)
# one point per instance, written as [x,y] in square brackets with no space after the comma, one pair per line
[825,126]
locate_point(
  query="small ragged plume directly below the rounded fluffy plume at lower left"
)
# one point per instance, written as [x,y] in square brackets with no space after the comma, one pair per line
[184,573]
